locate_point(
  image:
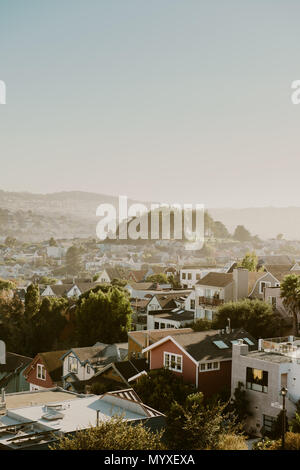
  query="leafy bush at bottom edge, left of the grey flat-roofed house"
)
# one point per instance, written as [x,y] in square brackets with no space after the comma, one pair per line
[203,426]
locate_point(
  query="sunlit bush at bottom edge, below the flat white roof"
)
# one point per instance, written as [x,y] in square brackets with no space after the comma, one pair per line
[115,434]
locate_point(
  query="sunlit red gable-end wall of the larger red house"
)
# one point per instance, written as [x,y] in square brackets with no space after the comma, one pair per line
[188,366]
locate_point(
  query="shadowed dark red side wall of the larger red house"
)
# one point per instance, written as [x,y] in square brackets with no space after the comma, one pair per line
[215,381]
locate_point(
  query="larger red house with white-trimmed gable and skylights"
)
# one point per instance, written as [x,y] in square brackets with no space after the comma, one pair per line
[201,358]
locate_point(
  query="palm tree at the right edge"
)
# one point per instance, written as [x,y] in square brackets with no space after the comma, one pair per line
[290,294]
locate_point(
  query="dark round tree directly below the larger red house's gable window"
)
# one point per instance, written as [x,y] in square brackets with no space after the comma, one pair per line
[160,387]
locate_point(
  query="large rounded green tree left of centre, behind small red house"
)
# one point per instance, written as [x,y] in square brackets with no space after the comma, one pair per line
[103,315]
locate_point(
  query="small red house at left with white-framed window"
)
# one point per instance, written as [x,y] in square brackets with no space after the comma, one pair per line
[45,370]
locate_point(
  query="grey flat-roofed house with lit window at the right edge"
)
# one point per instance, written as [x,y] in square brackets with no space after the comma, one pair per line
[263,372]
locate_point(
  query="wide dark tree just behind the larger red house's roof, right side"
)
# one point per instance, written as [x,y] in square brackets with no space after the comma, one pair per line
[255,316]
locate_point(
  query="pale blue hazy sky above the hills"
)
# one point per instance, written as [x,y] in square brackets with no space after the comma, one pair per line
[162,100]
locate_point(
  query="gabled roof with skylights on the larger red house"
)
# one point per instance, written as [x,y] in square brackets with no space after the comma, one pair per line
[200,346]
